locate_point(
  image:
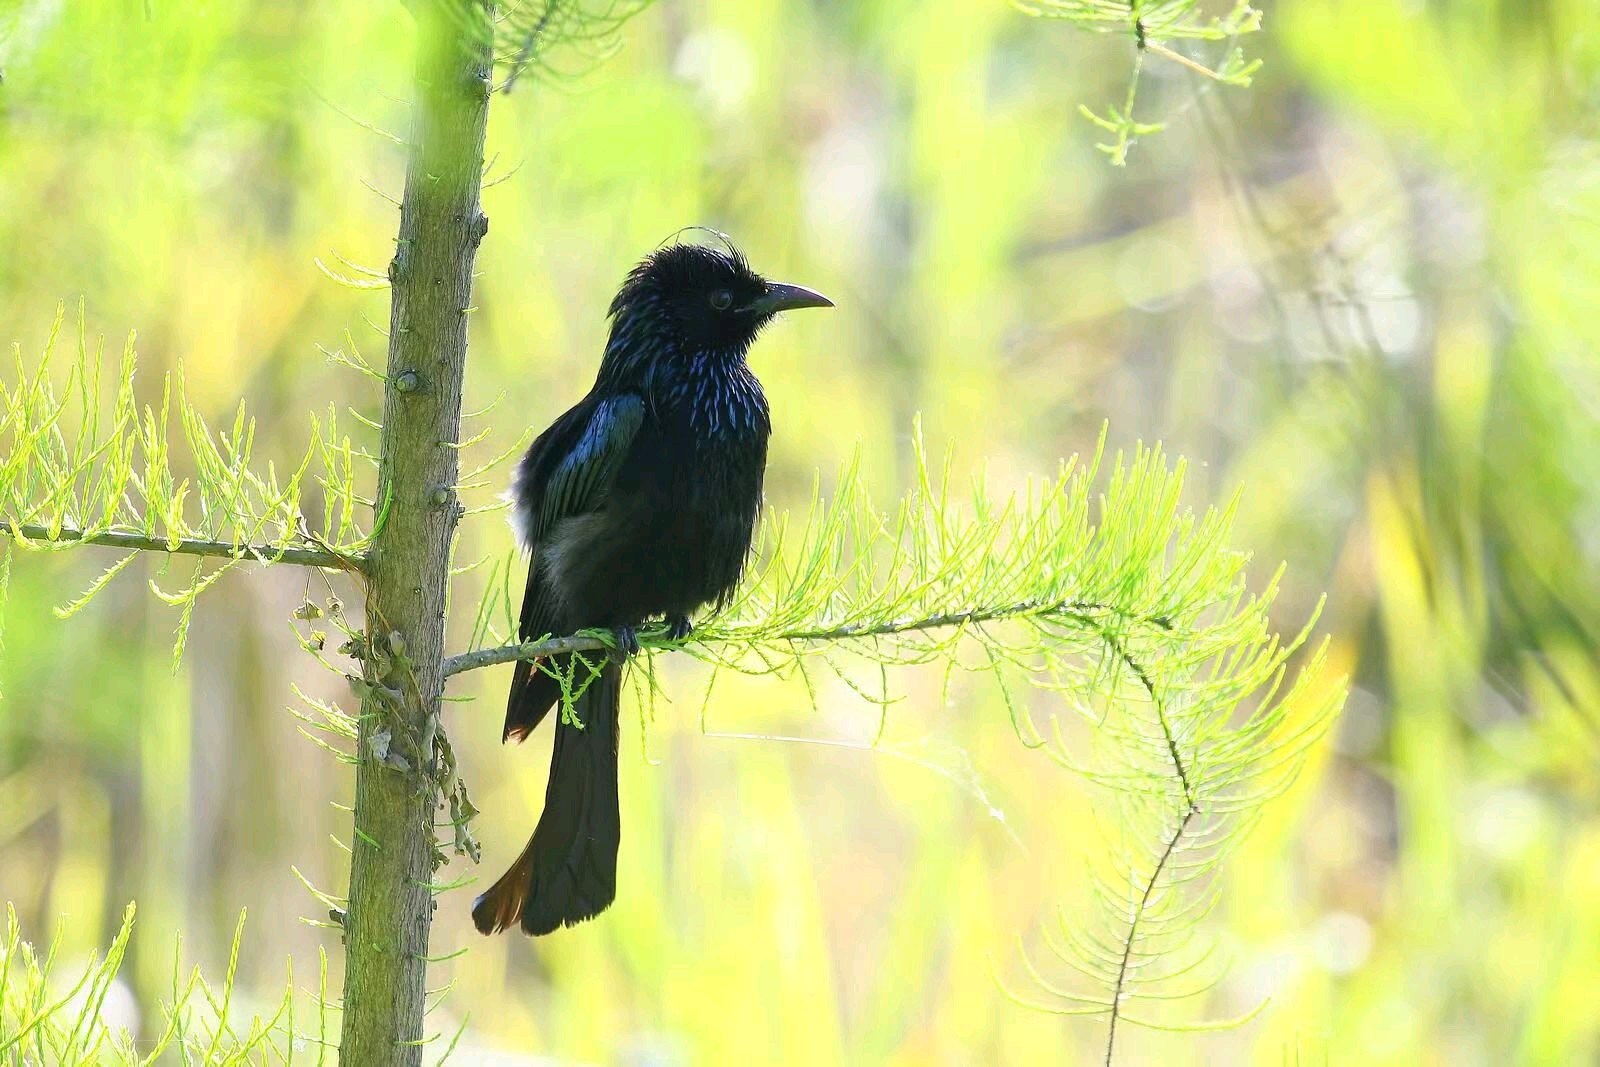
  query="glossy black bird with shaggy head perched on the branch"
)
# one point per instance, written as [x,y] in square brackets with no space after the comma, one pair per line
[638,503]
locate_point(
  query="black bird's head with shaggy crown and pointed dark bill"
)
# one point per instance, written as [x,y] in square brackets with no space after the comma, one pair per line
[703,302]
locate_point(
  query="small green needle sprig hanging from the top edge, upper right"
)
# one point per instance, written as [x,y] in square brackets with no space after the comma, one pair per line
[1156,28]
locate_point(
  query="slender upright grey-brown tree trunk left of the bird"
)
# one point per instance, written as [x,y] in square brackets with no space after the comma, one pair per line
[396,796]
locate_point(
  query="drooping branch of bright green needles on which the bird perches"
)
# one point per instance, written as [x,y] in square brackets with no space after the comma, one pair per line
[1164,682]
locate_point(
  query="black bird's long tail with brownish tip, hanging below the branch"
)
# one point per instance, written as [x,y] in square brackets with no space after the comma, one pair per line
[569,871]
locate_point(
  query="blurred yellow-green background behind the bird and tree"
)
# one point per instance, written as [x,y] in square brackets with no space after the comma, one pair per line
[1367,290]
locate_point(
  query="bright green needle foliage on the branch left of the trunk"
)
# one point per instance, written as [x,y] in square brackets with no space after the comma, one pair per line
[84,463]
